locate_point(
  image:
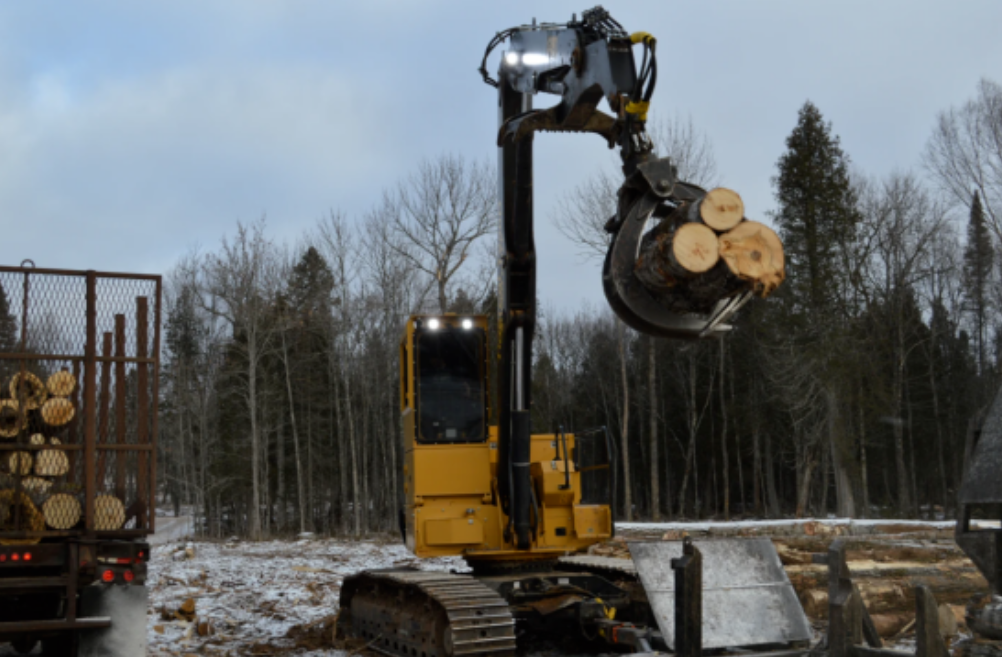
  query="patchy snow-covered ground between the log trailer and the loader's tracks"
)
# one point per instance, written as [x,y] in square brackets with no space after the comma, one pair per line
[253,594]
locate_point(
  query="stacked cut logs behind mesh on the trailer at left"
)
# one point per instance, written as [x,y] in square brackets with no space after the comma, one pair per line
[35,492]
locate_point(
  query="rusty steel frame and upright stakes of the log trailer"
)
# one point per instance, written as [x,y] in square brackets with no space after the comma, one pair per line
[148,365]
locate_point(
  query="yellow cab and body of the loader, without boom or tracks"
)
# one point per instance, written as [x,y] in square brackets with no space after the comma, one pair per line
[450,484]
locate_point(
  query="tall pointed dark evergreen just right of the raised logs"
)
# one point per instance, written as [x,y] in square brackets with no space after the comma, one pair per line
[817,215]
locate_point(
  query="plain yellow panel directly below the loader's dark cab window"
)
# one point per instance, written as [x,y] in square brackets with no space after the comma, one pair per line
[451,470]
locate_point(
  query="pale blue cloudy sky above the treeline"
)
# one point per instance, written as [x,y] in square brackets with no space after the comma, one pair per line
[132,133]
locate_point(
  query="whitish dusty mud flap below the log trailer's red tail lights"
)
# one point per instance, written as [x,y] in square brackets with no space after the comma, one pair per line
[127,607]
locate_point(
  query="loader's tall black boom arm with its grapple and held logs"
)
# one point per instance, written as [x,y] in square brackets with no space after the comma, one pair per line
[584,63]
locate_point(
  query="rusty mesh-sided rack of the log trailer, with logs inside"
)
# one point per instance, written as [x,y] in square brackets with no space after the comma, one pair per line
[79,373]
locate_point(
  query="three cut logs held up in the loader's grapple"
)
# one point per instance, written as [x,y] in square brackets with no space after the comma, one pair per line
[706,252]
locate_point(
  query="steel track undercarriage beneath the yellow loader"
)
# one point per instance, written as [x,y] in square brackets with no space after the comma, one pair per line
[411,613]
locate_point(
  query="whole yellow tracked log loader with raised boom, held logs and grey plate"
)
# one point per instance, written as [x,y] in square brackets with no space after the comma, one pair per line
[519,507]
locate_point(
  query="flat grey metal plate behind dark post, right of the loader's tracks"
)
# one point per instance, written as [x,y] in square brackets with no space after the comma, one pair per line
[748,599]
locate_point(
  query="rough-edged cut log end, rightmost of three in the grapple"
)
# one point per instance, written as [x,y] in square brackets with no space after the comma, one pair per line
[754,254]
